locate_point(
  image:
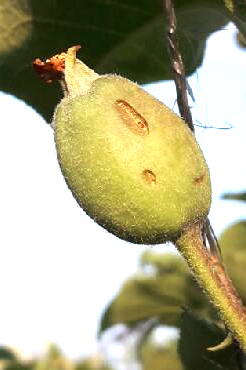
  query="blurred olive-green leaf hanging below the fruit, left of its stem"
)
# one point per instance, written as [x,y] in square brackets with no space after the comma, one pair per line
[161,295]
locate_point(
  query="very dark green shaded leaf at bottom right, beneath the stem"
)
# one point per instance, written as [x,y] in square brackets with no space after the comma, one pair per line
[195,337]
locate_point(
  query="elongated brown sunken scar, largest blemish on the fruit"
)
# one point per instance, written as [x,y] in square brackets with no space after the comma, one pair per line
[133,118]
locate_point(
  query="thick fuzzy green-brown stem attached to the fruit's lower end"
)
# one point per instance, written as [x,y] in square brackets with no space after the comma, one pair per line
[212,277]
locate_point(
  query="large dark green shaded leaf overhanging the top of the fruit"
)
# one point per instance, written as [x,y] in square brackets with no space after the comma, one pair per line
[117,36]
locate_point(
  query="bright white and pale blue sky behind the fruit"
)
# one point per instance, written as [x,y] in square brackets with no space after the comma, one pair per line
[58,269]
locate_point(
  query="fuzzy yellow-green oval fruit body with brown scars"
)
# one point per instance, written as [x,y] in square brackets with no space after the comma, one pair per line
[104,161]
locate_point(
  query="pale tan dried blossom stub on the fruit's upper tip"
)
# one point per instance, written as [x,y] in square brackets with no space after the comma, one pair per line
[78,77]
